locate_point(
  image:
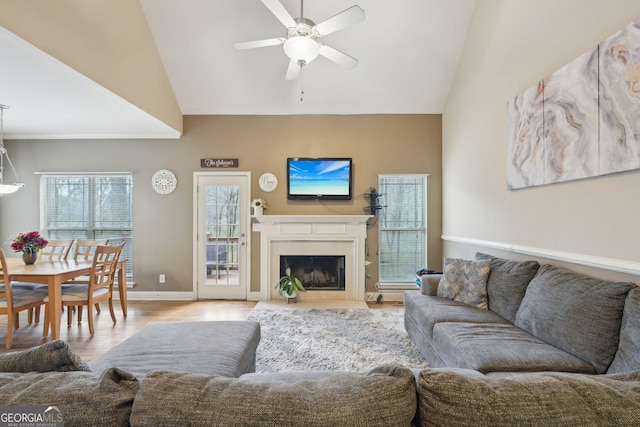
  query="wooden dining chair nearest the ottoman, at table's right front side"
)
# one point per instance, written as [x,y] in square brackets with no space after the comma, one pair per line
[99,288]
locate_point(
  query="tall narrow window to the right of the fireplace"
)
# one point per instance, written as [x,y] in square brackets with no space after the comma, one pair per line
[402,232]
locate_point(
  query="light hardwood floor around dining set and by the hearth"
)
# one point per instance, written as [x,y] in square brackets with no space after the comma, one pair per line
[140,314]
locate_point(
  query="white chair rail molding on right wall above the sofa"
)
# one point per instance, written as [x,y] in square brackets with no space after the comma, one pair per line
[611,264]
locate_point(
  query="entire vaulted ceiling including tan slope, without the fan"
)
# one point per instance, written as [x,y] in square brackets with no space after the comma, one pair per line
[124,69]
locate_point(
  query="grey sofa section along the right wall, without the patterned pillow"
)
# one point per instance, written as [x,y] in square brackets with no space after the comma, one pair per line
[538,318]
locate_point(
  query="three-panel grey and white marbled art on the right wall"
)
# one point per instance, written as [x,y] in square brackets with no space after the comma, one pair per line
[581,121]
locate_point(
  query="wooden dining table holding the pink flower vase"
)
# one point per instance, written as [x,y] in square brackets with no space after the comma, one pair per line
[54,274]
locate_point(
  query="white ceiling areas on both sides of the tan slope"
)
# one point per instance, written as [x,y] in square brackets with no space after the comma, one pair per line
[408,52]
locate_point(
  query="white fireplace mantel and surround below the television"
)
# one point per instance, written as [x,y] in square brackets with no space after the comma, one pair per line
[313,234]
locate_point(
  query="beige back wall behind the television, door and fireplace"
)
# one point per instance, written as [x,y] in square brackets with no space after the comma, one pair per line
[163,224]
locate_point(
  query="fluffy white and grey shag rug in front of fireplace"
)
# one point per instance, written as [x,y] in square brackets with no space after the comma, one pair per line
[332,339]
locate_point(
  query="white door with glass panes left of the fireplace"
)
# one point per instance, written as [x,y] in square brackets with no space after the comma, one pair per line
[222,237]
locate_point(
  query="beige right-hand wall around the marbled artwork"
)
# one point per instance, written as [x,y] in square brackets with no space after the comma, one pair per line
[510,46]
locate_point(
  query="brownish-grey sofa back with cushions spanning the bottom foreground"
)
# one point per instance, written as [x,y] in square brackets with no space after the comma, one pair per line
[389,395]
